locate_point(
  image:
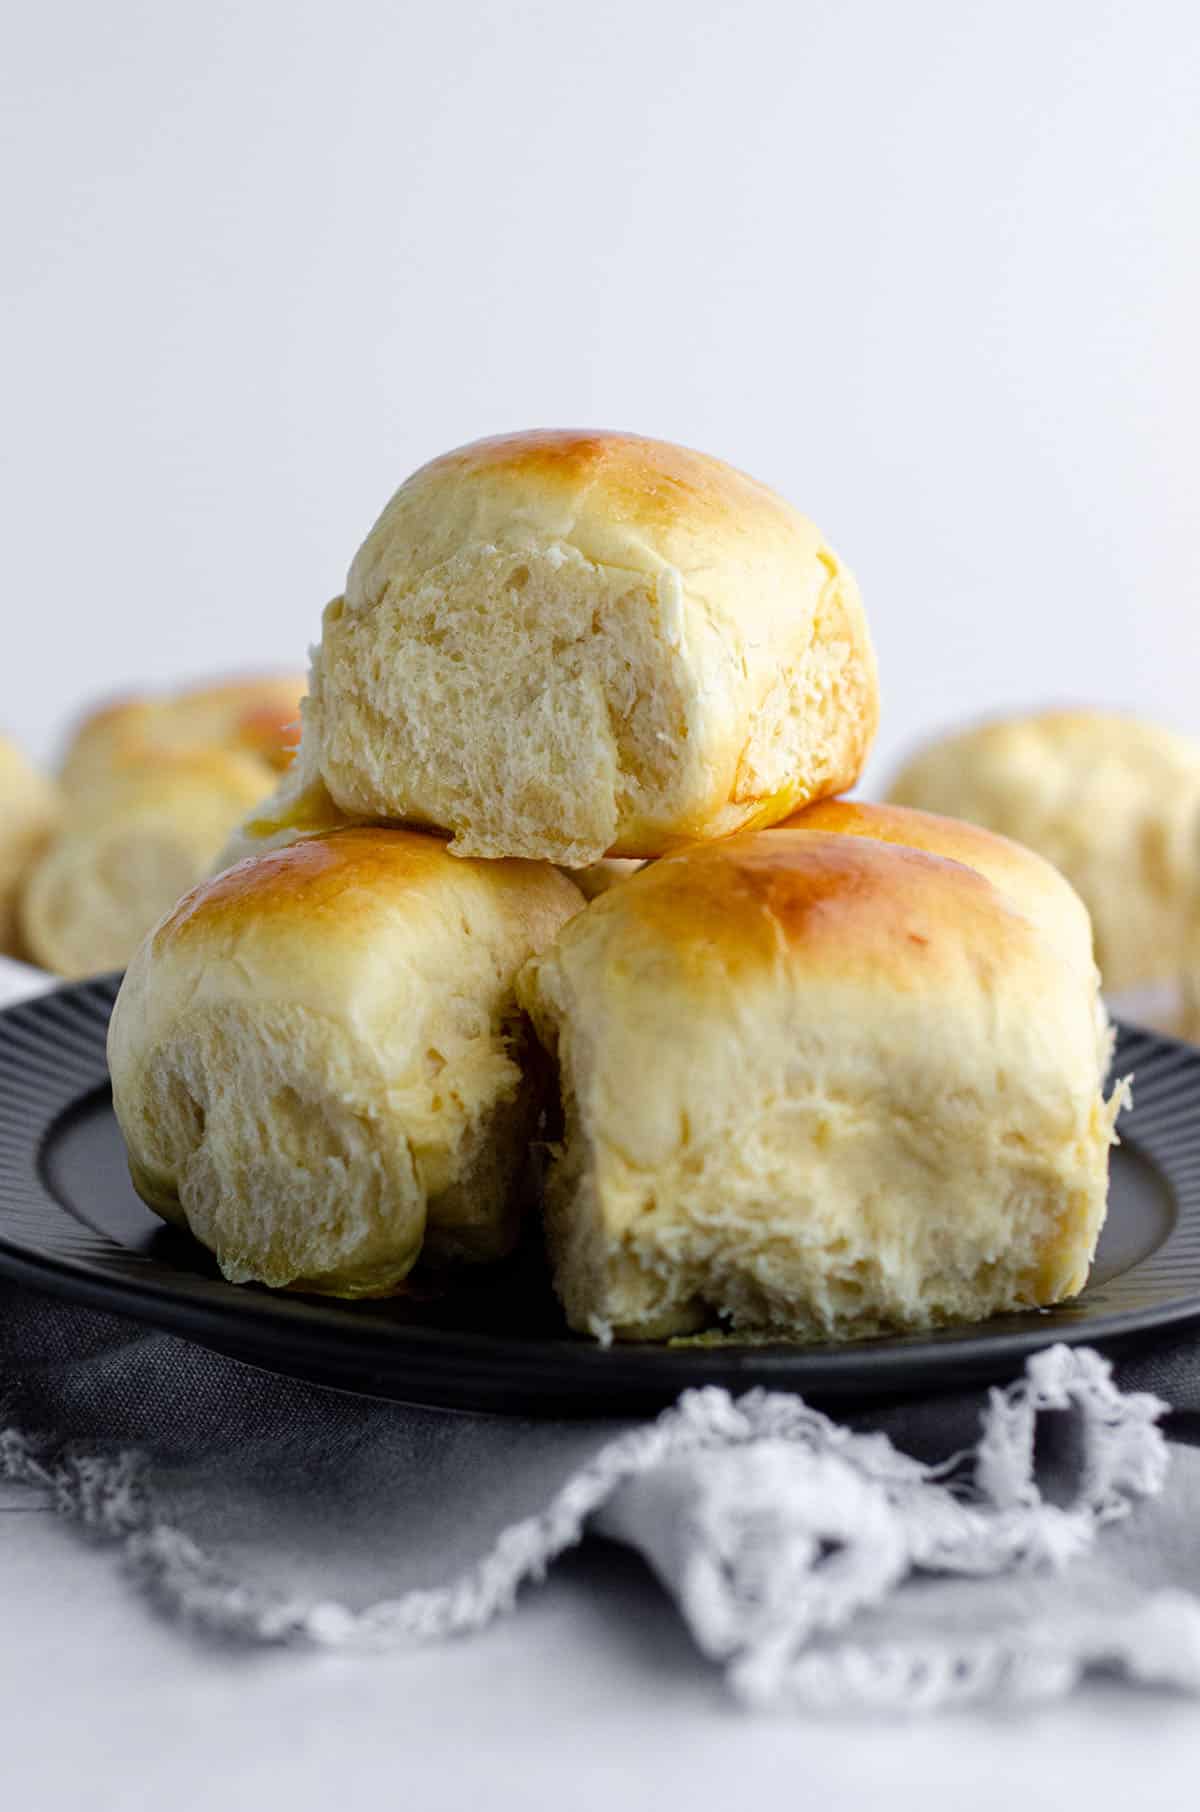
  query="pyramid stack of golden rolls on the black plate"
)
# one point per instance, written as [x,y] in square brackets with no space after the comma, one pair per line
[561,860]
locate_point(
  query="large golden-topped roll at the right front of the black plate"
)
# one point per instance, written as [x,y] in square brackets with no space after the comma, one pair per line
[820,1086]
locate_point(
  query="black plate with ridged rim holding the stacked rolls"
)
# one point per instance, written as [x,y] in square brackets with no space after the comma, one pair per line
[72,1224]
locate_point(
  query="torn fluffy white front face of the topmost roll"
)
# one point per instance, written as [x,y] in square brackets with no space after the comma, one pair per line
[568,724]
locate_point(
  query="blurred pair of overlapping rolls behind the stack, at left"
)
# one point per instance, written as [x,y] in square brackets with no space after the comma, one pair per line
[148,795]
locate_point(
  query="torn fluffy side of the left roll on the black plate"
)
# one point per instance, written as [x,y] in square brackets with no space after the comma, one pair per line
[278,1141]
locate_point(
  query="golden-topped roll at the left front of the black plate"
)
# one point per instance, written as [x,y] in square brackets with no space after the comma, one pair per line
[318,1063]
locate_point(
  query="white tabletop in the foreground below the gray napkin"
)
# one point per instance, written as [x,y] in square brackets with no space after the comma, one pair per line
[590,1699]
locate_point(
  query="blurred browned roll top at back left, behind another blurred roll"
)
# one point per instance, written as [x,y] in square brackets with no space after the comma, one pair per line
[256,717]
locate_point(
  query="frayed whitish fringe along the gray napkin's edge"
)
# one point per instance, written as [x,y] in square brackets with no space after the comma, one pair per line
[773,1528]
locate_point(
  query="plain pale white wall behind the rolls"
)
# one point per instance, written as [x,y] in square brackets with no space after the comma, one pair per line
[933,269]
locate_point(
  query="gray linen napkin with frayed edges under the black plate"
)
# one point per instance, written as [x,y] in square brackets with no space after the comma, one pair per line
[938,1552]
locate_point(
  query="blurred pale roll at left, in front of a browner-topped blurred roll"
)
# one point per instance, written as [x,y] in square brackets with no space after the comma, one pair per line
[131,842]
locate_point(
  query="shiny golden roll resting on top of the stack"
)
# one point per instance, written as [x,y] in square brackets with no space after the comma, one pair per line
[574,646]
